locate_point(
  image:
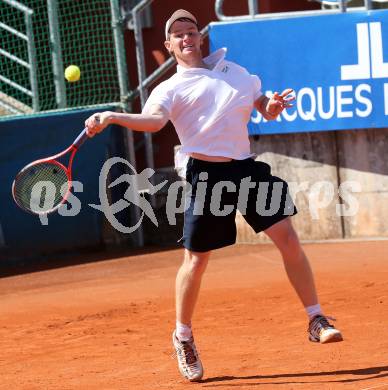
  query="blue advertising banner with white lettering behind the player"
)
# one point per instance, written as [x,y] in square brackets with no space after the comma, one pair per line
[337,65]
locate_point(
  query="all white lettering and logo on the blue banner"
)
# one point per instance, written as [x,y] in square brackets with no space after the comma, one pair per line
[343,101]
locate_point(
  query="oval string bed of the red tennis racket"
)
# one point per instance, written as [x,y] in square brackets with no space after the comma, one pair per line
[41,187]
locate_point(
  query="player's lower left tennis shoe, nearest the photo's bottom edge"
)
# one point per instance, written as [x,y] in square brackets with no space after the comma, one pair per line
[189,364]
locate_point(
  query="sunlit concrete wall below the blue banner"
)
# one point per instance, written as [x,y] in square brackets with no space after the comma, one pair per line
[319,163]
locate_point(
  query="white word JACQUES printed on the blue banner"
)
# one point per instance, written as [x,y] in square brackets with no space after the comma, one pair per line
[344,101]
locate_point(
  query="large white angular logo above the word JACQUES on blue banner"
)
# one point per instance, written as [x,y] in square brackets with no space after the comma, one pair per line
[370,54]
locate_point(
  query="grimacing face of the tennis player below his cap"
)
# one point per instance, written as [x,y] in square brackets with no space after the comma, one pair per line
[185,40]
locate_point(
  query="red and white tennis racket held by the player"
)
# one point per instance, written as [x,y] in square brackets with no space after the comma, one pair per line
[42,186]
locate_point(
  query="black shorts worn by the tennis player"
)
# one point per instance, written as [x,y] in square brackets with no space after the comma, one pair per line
[217,189]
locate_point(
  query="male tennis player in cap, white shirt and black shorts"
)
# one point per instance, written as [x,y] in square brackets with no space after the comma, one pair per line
[209,101]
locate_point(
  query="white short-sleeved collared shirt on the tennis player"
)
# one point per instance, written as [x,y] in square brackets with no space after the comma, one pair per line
[209,109]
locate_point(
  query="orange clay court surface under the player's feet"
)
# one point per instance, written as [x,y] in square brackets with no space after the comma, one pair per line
[108,324]
